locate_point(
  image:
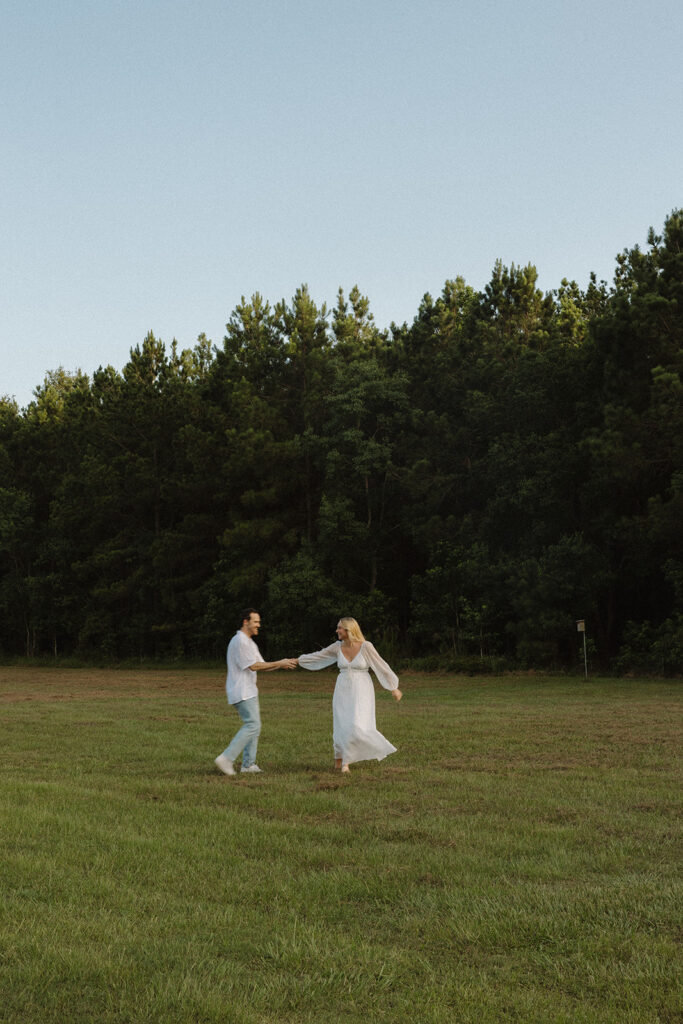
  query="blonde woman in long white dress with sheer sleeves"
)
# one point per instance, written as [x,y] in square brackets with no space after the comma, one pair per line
[355,733]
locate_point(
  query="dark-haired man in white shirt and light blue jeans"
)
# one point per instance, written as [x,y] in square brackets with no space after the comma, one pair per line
[244,661]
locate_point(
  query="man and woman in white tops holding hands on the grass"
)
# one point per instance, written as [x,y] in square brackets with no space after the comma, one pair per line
[355,734]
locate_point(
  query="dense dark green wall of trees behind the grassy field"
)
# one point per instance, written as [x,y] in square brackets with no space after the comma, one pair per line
[467,486]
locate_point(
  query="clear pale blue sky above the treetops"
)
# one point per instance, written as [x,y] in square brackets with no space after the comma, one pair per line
[160,159]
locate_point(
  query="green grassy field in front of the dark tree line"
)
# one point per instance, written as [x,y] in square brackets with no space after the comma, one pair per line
[517,861]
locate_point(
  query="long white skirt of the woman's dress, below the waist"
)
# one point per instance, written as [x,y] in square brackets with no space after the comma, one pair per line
[355,733]
